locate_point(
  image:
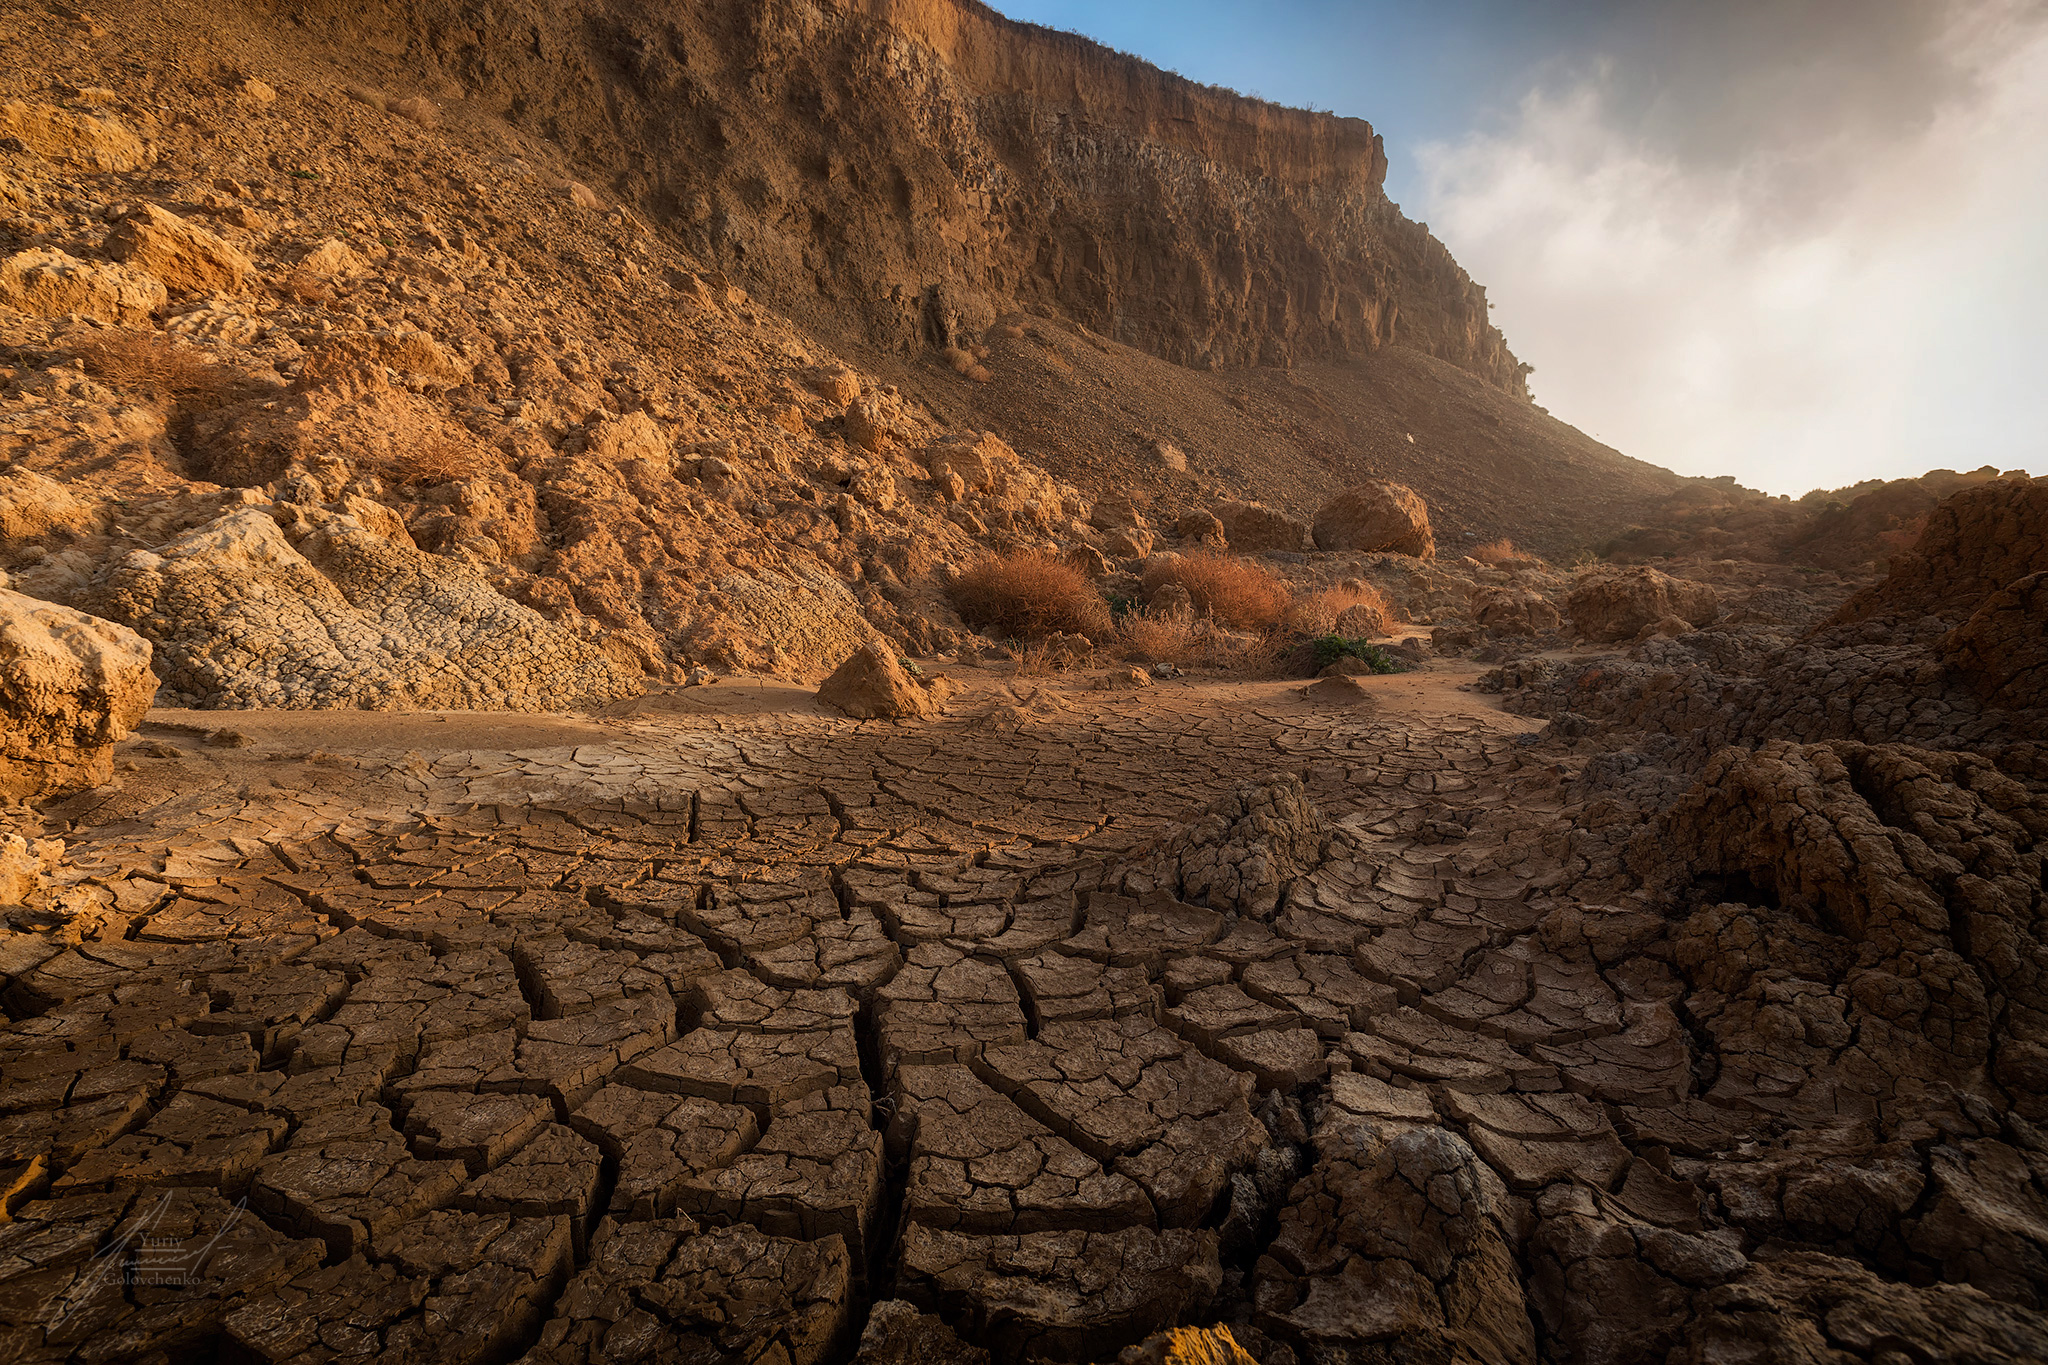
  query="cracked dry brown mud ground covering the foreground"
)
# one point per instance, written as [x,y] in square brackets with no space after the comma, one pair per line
[1377,1034]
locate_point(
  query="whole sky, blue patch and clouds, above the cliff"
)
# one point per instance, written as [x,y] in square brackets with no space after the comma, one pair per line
[1801,243]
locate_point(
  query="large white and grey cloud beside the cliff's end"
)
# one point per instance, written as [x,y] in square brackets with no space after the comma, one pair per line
[1779,263]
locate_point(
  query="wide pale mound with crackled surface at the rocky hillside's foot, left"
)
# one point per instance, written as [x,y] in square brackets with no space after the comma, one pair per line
[347,619]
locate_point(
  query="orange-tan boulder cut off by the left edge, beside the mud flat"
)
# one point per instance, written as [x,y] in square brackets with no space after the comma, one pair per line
[71,687]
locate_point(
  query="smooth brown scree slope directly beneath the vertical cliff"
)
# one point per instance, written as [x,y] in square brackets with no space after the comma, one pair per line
[1492,466]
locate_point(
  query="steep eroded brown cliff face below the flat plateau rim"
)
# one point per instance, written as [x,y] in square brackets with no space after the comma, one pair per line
[912,169]
